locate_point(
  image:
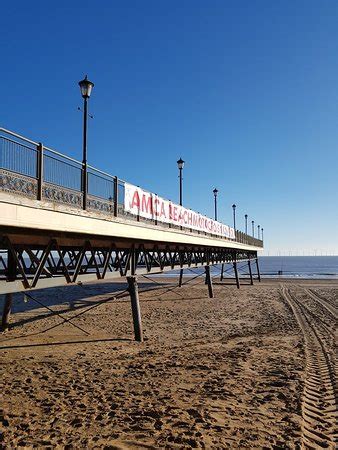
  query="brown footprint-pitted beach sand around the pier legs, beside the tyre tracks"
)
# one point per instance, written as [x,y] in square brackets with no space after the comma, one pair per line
[227,372]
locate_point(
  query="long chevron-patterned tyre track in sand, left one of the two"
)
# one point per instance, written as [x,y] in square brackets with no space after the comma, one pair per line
[319,402]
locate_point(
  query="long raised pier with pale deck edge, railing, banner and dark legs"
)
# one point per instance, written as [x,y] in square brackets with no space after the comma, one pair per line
[56,230]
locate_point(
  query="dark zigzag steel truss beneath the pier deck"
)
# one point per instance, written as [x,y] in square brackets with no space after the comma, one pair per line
[61,260]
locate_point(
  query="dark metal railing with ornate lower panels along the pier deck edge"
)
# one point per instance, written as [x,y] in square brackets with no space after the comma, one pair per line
[31,169]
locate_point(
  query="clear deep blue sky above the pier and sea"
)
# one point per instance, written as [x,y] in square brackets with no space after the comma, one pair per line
[245,91]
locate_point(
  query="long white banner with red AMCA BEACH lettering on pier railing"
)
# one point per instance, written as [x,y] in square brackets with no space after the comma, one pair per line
[151,206]
